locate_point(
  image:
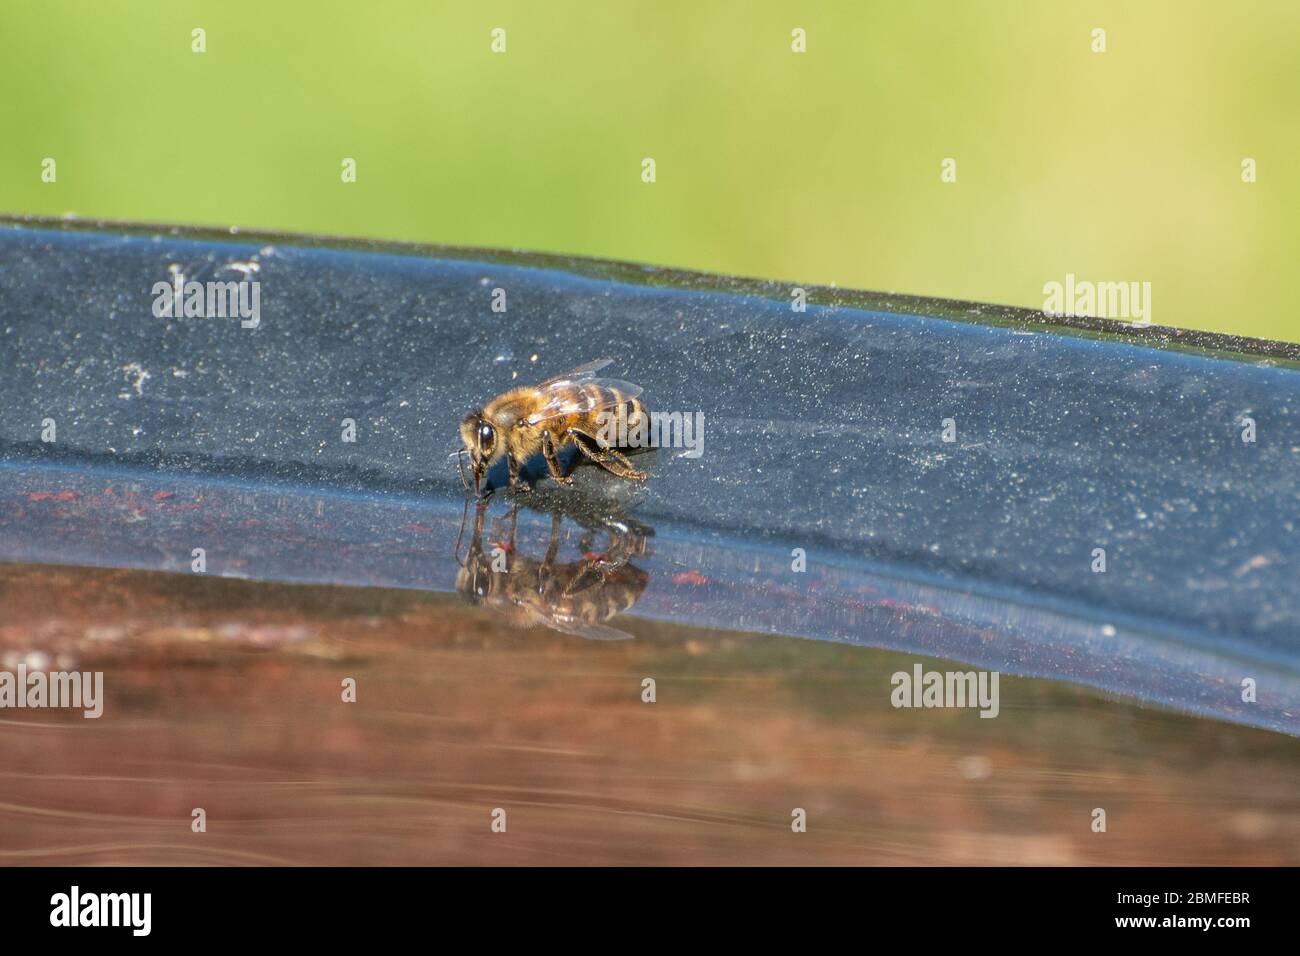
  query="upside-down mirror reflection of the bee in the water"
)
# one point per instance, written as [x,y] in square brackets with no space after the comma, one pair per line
[570,596]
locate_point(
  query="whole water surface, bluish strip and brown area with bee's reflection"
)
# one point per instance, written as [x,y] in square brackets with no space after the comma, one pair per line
[224,694]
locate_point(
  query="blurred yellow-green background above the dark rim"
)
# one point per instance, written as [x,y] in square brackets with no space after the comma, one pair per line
[817,168]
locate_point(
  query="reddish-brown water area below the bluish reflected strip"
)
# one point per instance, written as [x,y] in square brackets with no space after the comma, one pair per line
[227,695]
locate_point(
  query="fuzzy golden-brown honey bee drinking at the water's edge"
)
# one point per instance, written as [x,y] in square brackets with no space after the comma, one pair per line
[566,410]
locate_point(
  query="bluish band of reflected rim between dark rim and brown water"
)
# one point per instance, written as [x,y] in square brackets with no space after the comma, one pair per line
[727,578]
